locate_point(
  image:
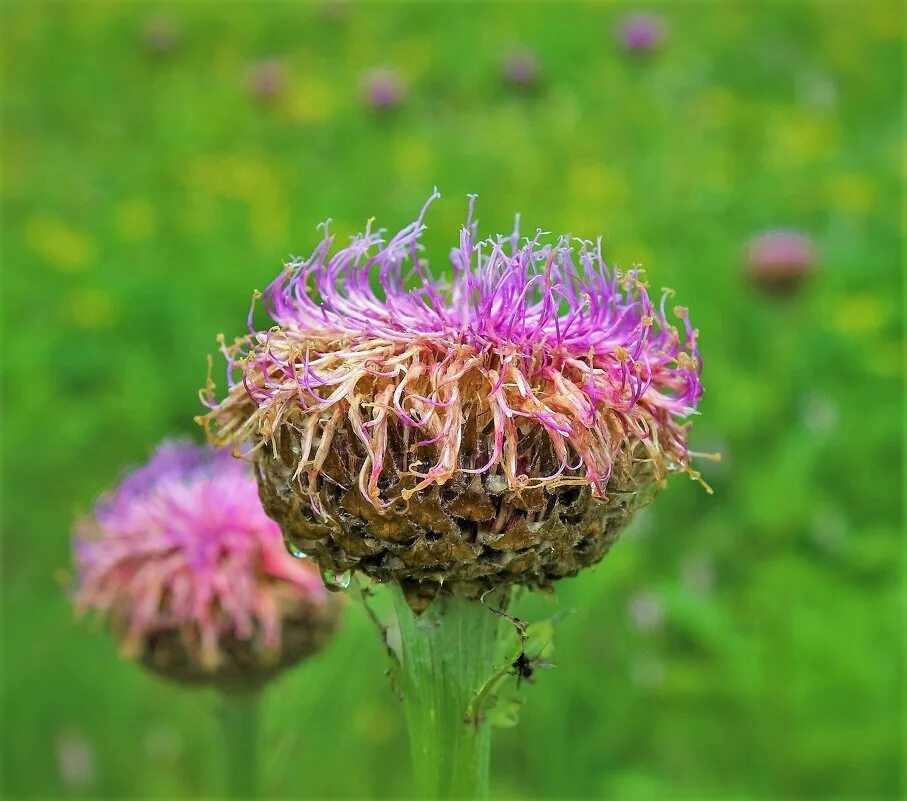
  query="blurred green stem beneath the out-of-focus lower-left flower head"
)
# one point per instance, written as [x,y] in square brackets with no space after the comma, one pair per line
[240,721]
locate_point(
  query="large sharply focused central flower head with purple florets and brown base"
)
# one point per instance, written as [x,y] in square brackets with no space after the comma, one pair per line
[499,427]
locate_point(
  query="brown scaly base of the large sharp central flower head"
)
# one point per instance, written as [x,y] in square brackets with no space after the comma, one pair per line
[464,537]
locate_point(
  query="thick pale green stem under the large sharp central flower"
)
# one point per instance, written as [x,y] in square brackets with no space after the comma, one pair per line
[448,655]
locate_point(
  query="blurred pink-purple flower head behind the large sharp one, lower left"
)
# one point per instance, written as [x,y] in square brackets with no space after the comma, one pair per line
[193,575]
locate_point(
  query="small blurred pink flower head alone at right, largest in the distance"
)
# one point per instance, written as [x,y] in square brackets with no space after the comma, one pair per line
[780,261]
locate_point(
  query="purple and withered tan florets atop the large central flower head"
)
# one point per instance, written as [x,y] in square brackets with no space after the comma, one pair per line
[533,353]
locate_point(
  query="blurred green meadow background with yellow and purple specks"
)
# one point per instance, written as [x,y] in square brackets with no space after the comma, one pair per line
[161,161]
